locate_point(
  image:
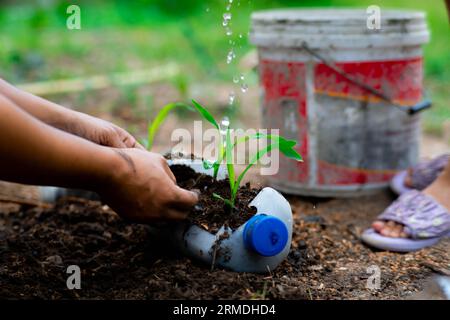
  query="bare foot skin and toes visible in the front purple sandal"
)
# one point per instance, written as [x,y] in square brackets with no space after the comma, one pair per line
[438,190]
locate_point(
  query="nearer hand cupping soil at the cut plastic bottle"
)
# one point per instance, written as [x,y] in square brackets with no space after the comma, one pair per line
[144,189]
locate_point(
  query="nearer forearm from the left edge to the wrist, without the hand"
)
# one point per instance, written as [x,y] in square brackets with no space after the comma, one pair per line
[33,152]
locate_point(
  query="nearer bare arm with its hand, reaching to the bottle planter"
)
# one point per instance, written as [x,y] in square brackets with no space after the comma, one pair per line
[137,184]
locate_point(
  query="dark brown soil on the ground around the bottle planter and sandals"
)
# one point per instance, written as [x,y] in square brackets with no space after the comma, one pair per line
[119,260]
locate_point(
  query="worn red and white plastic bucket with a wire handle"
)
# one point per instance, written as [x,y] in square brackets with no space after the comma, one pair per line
[348,94]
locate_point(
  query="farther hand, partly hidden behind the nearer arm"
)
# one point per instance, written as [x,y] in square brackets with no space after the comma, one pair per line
[99,131]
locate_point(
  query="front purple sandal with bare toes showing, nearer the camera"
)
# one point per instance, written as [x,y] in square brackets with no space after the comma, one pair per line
[425,221]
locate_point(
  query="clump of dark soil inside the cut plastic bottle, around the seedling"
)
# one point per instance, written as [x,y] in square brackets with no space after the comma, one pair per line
[212,213]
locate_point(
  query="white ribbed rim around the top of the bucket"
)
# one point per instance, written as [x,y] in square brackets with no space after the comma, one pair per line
[334,28]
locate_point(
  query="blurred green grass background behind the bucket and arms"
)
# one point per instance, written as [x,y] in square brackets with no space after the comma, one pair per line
[117,36]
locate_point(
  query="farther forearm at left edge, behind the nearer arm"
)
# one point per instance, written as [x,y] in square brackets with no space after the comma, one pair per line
[44,110]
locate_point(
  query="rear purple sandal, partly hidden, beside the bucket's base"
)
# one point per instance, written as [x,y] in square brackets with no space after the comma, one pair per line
[422,175]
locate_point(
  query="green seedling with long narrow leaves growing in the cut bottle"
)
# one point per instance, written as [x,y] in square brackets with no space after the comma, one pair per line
[225,148]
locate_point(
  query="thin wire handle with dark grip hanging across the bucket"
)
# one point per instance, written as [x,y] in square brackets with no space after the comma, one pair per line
[411,110]
